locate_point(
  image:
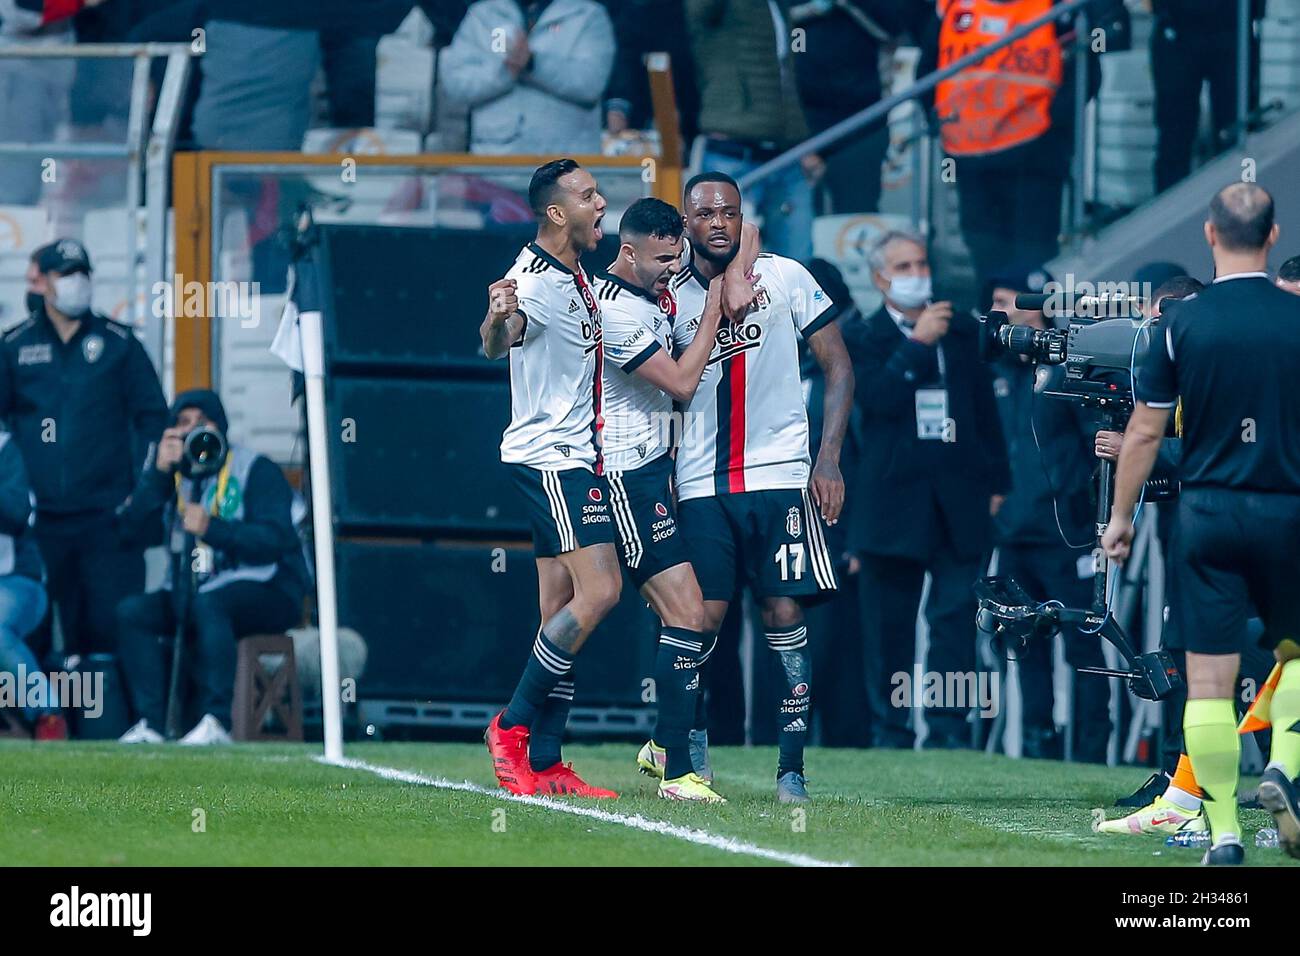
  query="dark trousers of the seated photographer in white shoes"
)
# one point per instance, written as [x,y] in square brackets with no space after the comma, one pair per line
[146,628]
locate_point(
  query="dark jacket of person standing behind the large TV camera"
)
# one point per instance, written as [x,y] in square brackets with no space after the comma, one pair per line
[1050,443]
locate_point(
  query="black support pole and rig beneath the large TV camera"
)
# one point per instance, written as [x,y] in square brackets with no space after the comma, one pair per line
[1012,616]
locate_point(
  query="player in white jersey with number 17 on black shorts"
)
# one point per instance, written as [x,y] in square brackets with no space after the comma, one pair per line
[752,503]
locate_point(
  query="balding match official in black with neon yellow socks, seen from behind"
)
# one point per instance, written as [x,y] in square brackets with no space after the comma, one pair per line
[1232,354]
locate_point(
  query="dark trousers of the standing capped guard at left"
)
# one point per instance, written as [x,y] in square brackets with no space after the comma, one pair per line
[89,573]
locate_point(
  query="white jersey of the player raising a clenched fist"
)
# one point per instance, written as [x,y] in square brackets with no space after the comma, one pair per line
[554,367]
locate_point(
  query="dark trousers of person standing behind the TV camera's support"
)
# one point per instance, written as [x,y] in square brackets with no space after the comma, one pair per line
[1051,573]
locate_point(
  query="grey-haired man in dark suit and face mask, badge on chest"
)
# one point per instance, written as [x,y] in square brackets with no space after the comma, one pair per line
[933,474]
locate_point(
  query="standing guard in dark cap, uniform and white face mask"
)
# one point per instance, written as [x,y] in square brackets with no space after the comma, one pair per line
[84,404]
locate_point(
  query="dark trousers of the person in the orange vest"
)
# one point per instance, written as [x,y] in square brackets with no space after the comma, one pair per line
[1009,215]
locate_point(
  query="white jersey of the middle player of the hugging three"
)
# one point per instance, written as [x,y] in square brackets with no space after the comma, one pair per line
[638,414]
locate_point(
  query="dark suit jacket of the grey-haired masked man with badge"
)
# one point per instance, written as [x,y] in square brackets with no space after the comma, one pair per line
[903,479]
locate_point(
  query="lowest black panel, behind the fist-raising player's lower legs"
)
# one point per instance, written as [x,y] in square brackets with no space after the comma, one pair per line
[456,624]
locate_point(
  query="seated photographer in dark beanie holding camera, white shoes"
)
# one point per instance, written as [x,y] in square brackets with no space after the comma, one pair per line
[250,573]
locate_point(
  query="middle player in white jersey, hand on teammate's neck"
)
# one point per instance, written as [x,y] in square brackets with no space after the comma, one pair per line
[644,374]
